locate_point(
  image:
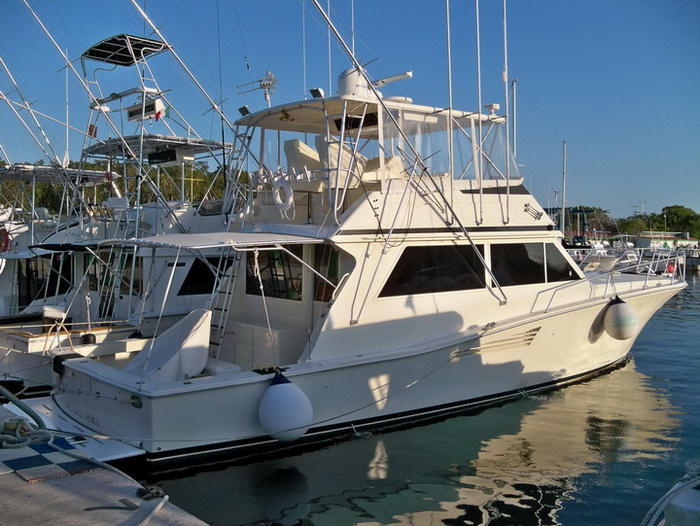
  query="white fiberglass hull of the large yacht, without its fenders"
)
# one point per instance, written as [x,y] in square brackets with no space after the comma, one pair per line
[221,412]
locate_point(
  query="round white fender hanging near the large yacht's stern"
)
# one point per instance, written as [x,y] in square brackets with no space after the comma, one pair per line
[285,412]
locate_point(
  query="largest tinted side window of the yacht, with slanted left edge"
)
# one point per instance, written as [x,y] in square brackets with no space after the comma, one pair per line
[445,268]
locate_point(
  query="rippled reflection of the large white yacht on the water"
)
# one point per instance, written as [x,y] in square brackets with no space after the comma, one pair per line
[515,464]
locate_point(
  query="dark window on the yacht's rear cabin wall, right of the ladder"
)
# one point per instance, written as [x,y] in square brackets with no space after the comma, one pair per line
[280,273]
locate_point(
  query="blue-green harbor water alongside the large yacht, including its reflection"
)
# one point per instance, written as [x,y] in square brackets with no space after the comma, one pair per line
[600,452]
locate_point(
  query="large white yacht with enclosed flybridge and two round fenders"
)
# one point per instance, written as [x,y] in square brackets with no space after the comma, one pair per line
[379,270]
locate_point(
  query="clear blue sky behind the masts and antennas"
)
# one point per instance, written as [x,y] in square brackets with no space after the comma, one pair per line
[618,80]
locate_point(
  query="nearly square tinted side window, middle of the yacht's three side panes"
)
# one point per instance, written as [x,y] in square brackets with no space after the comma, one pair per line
[518,263]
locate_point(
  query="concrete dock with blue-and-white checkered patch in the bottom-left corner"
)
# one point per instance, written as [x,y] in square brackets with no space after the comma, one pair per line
[40,484]
